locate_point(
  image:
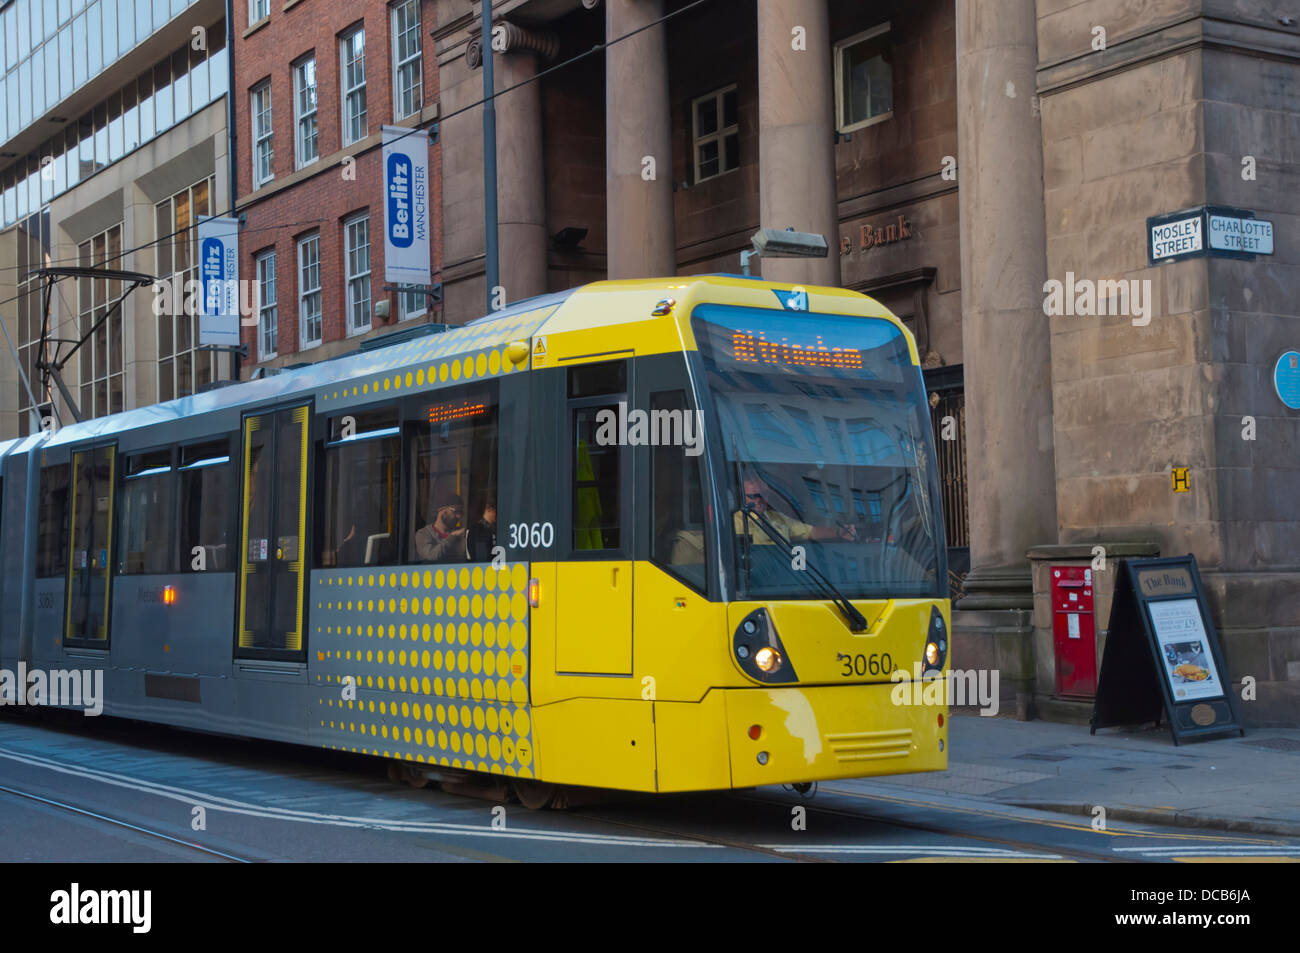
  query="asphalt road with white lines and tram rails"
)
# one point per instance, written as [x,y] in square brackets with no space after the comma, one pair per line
[105,790]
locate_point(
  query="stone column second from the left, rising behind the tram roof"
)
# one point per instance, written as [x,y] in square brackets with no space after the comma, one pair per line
[642,241]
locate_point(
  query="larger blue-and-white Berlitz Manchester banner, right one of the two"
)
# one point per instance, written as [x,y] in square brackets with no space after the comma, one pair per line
[406,206]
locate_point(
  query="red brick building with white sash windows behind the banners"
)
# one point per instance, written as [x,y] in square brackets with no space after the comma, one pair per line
[314,84]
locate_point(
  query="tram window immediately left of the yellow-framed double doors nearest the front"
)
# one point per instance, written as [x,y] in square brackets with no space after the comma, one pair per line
[205,491]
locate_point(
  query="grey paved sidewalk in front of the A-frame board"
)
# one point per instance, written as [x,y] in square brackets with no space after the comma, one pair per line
[1233,783]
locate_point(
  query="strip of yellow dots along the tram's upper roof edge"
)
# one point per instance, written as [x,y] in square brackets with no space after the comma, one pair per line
[461,354]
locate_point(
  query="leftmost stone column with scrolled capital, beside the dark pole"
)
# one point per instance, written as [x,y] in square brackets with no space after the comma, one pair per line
[521,179]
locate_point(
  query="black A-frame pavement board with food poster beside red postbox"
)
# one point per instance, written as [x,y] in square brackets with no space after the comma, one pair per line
[1163,655]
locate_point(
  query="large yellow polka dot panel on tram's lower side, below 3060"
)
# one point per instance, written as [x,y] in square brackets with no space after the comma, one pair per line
[439,657]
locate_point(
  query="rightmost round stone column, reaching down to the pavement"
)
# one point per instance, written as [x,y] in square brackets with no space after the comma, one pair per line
[1006,335]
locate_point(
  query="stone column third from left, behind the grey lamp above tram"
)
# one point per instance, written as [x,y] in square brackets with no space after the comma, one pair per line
[796,129]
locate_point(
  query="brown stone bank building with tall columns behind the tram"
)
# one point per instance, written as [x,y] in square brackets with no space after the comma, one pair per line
[959,155]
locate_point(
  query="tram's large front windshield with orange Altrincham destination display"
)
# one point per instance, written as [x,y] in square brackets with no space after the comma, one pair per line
[826,440]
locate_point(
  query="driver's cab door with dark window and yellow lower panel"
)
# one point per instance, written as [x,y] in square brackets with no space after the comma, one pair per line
[593,625]
